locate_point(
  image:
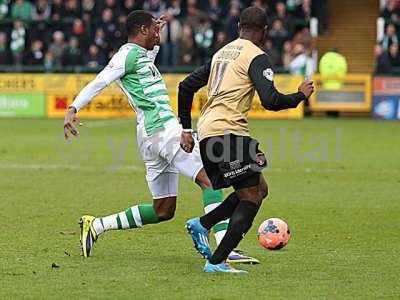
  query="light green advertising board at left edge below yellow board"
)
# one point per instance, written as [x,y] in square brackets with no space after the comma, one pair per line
[22,104]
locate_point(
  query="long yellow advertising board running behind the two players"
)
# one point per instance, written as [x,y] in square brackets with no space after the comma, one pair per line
[59,91]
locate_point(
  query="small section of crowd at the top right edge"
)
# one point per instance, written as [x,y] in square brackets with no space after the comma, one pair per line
[386,51]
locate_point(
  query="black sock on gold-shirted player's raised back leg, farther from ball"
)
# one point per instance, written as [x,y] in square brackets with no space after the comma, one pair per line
[221,212]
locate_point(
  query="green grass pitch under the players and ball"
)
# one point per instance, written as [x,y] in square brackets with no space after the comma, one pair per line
[336,182]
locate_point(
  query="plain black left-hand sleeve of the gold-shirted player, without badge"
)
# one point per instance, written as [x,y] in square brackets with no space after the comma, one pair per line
[187,88]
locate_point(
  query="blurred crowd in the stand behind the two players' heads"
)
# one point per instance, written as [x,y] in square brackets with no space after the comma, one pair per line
[56,33]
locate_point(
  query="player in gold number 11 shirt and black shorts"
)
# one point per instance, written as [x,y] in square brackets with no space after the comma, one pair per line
[230,156]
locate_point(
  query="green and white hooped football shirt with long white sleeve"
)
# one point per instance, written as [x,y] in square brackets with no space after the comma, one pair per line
[132,67]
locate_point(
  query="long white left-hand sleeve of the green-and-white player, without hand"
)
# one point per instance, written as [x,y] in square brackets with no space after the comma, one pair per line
[113,71]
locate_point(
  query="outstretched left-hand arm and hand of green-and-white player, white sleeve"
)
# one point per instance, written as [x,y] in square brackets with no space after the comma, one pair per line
[113,71]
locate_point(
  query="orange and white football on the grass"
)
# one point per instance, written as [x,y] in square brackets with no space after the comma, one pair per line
[273,234]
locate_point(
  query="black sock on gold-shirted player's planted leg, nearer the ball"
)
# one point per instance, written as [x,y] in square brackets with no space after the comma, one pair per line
[240,222]
